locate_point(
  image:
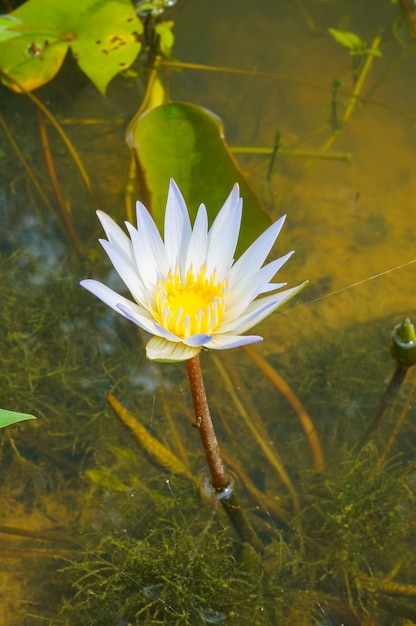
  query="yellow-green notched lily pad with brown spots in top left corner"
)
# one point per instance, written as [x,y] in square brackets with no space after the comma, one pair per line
[103,36]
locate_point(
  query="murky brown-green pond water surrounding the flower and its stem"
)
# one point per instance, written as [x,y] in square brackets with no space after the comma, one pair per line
[90,522]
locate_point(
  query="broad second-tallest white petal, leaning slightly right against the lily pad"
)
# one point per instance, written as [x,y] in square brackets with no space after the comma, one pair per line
[223,235]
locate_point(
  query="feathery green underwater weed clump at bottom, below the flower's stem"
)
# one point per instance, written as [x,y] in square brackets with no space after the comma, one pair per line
[185,571]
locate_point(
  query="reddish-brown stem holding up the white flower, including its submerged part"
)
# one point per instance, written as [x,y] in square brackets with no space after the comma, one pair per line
[219,478]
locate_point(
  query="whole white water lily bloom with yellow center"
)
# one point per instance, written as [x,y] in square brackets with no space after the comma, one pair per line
[188,291]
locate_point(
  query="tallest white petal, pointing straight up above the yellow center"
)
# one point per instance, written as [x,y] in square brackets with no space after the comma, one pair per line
[177,230]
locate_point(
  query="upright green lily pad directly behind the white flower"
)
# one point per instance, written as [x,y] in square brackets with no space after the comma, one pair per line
[185,142]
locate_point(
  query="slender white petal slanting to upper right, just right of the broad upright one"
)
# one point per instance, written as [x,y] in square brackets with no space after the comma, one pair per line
[254,257]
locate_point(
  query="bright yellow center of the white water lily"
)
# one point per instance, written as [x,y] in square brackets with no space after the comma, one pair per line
[191,307]
